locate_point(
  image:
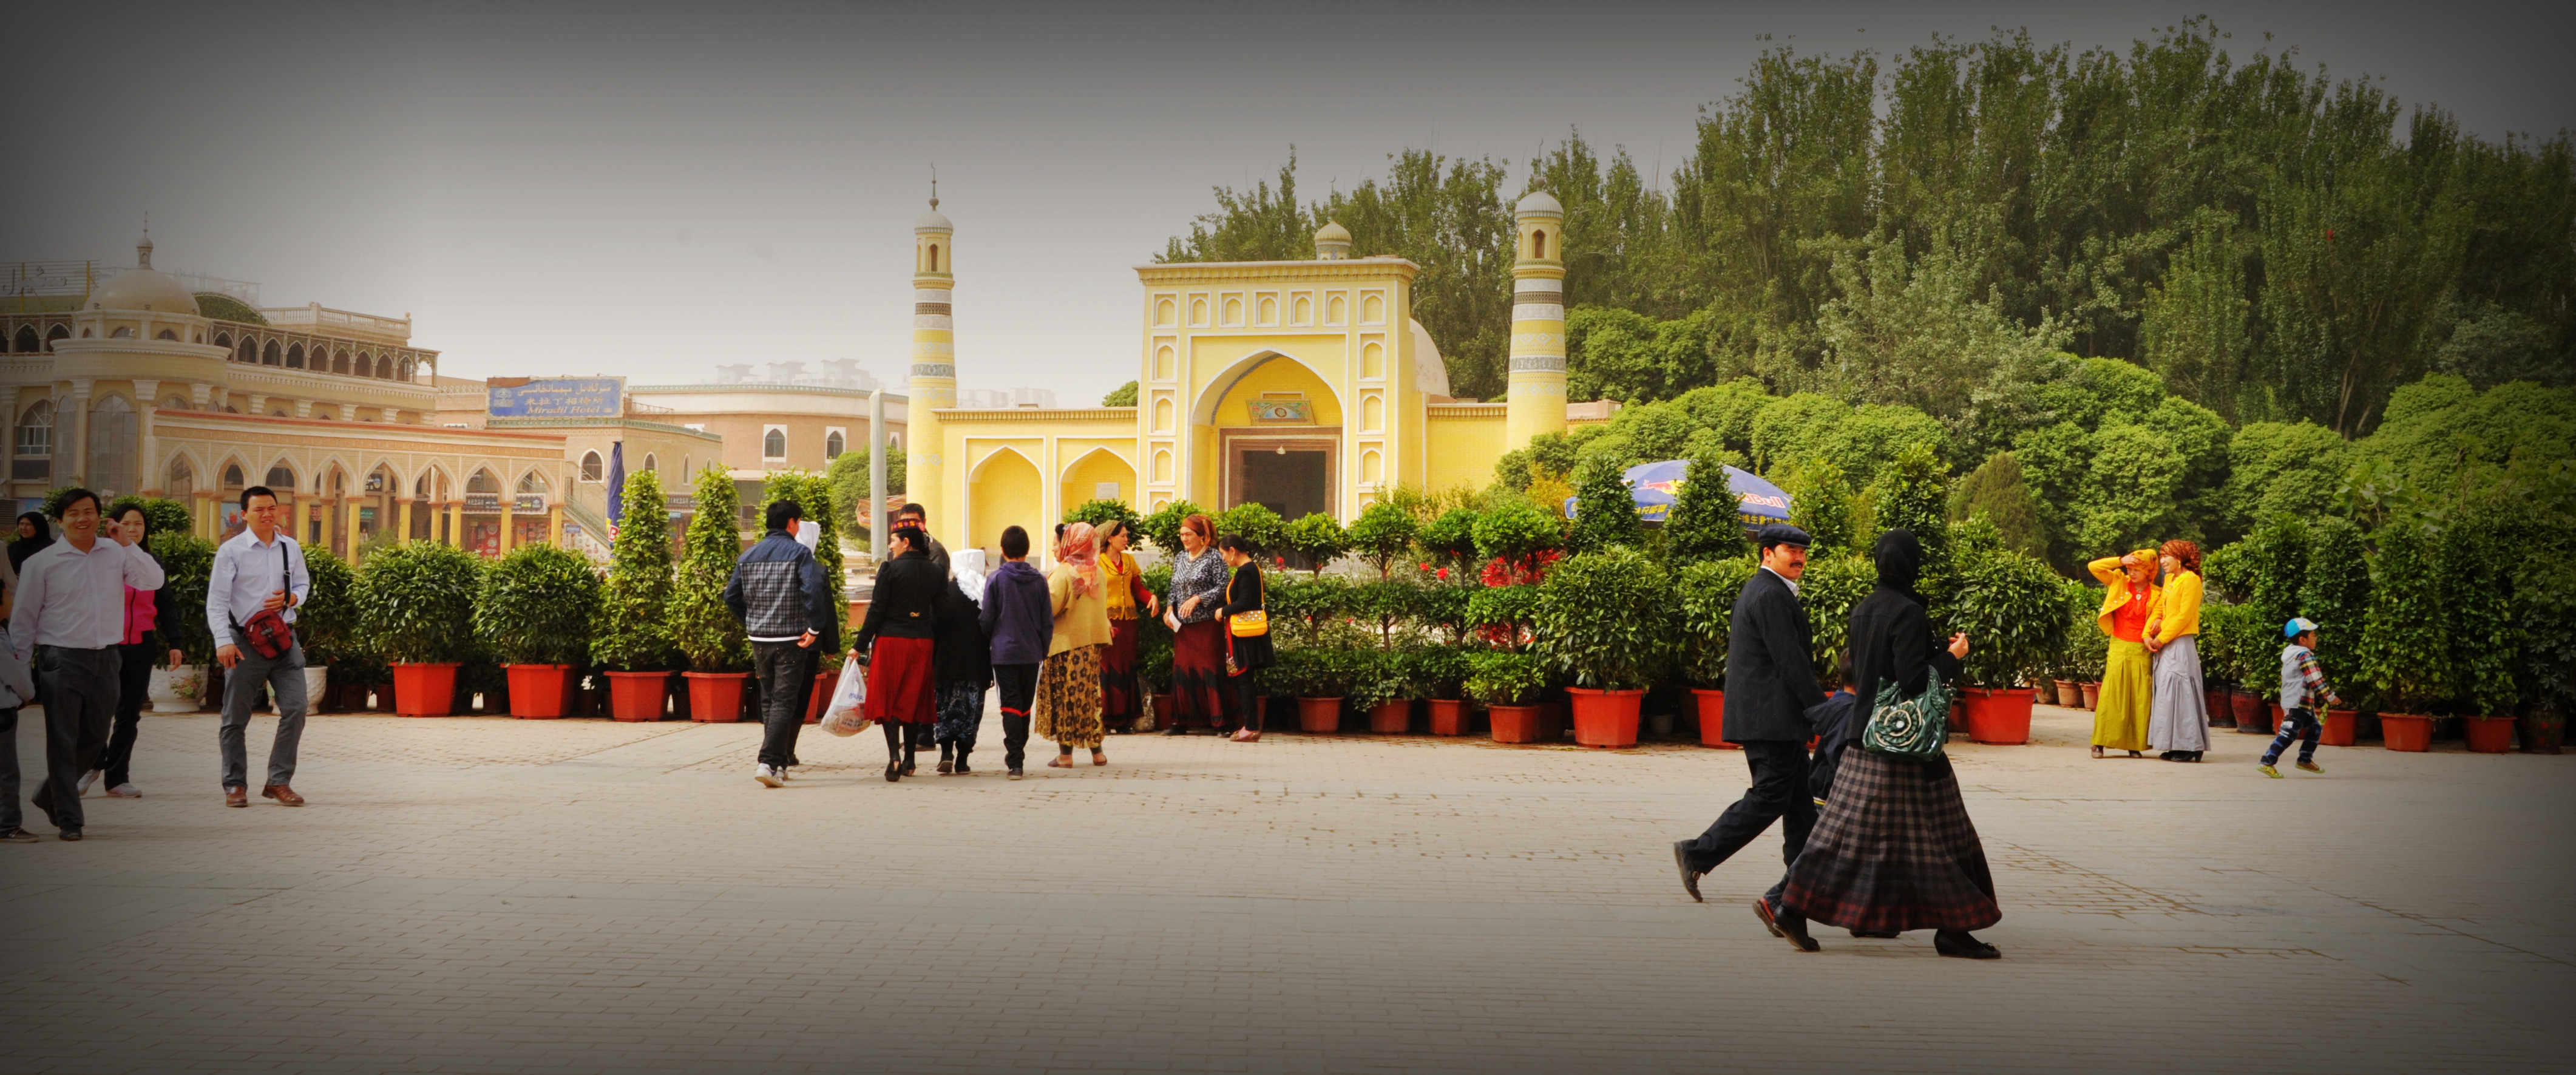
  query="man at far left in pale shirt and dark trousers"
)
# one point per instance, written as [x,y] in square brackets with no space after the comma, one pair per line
[71,617]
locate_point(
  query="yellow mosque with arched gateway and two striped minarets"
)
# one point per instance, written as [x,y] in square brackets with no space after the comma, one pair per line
[1302,385]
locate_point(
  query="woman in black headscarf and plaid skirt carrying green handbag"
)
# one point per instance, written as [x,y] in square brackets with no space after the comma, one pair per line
[1895,847]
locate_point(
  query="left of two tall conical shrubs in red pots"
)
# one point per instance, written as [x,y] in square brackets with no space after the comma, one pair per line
[635,641]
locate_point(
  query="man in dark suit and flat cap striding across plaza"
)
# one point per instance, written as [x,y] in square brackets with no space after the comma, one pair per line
[1771,684]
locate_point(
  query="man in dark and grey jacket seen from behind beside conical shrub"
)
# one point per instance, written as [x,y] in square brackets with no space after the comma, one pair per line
[784,607]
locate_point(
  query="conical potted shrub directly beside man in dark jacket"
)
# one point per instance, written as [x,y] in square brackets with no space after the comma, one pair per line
[707,633]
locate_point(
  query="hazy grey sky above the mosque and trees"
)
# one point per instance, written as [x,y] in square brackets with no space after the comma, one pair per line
[656,189]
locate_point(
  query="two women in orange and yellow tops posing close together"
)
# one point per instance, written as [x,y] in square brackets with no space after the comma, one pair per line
[2152,697]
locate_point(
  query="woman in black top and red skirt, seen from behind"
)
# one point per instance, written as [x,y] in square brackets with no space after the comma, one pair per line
[900,646]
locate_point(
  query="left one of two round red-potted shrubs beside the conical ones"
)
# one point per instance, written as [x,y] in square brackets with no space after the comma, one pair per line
[413,602]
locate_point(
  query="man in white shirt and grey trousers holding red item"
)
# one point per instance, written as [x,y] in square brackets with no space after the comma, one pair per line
[259,571]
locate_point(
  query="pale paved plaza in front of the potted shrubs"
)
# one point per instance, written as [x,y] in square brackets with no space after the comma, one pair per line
[488,896]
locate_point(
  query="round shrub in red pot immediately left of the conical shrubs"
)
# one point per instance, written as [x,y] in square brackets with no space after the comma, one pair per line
[535,615]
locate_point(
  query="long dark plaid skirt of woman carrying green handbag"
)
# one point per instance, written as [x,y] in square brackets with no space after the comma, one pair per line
[1895,852]
